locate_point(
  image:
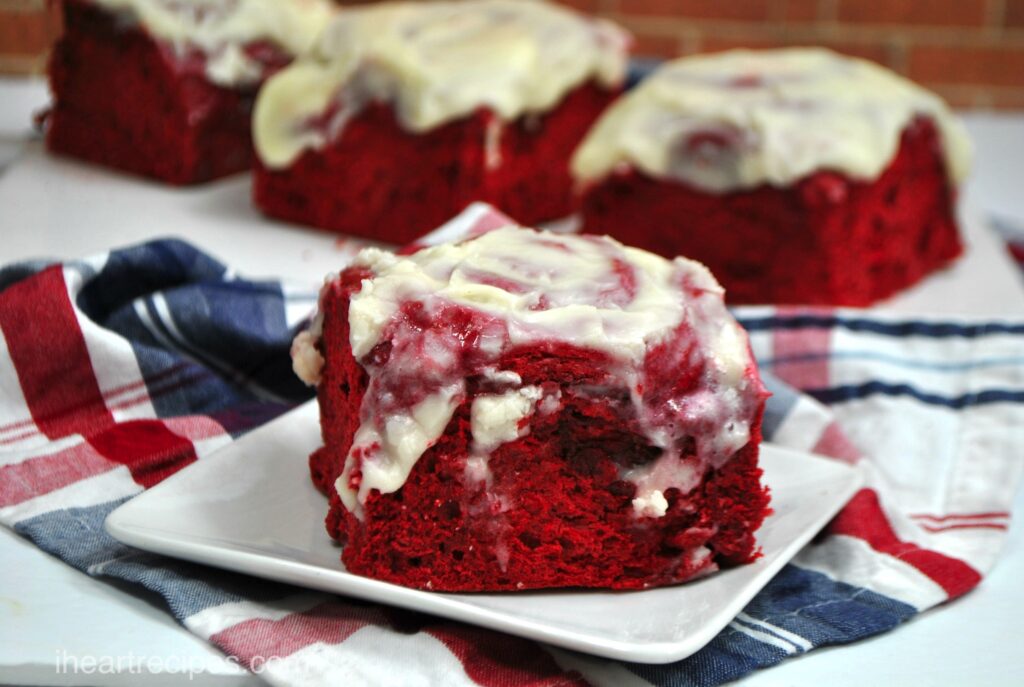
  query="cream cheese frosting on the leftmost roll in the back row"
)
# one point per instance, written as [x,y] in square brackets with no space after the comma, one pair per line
[222,29]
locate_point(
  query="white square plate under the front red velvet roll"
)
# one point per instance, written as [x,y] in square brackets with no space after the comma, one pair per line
[252,508]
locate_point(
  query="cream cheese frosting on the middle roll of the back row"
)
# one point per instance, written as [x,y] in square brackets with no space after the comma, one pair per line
[436,63]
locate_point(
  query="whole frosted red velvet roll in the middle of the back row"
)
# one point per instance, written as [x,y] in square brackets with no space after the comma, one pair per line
[407,113]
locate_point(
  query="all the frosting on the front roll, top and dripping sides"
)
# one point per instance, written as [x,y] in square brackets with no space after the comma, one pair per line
[525,287]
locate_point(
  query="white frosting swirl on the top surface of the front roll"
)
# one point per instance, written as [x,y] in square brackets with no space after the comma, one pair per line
[510,273]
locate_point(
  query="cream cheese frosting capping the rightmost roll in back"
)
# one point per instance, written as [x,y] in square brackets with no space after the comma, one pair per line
[741,119]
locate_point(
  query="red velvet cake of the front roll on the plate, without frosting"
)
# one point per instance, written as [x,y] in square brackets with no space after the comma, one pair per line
[558,508]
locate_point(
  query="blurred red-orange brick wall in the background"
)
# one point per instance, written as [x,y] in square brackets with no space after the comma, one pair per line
[971,52]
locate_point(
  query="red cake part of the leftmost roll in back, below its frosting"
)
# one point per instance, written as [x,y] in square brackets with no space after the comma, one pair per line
[126,101]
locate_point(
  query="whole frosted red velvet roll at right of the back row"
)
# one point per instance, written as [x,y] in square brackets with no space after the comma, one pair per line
[796,176]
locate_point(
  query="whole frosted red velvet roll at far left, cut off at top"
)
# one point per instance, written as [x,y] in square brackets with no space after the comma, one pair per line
[165,89]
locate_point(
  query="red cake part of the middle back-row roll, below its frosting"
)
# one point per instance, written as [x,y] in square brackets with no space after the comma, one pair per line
[381,182]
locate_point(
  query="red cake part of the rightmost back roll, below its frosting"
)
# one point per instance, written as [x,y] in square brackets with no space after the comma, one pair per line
[827,240]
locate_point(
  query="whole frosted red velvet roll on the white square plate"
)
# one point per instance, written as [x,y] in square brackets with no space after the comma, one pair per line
[525,410]
